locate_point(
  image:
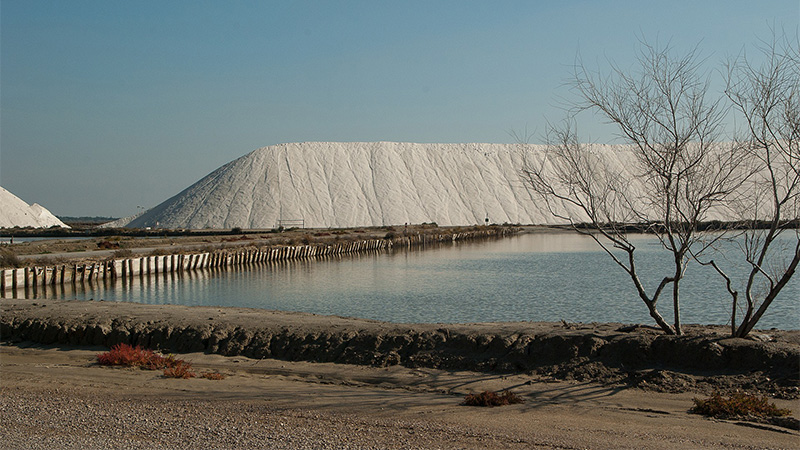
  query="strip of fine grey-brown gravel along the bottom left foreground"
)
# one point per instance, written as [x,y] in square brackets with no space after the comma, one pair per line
[58,419]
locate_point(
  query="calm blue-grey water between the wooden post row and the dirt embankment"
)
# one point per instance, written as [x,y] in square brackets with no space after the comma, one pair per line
[537,277]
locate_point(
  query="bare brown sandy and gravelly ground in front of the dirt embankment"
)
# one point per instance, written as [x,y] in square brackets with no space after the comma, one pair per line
[58,397]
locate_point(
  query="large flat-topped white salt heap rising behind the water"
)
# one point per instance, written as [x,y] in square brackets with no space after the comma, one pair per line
[362,184]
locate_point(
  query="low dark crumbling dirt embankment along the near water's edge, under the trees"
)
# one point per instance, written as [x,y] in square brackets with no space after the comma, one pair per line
[704,359]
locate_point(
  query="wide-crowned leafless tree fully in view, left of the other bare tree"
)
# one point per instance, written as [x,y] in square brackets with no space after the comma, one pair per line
[681,169]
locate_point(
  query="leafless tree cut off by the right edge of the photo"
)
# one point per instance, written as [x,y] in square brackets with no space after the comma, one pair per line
[767,97]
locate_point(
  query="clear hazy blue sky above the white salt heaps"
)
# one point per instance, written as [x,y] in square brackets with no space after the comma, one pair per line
[108,106]
